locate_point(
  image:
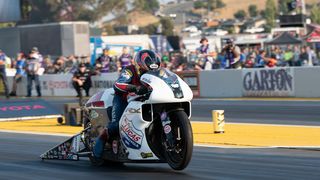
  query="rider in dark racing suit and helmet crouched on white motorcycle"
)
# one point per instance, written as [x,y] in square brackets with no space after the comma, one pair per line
[128,82]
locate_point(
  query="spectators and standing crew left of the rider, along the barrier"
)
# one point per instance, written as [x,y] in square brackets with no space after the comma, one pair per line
[33,64]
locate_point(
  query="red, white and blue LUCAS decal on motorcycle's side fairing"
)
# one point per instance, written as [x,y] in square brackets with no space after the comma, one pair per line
[131,136]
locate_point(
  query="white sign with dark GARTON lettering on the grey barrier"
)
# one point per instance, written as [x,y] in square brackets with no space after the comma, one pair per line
[268,82]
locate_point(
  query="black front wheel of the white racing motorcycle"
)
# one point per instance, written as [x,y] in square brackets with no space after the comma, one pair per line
[179,157]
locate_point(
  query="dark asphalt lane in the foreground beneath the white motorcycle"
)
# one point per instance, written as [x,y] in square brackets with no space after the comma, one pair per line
[19,159]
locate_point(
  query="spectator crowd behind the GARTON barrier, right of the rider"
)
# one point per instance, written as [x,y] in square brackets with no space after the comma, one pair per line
[234,57]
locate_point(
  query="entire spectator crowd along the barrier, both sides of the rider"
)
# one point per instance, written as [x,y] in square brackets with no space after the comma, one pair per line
[33,64]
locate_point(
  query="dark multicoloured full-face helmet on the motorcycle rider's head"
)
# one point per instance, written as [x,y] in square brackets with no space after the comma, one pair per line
[147,60]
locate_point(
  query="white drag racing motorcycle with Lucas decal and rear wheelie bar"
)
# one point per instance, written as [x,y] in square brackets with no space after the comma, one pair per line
[155,127]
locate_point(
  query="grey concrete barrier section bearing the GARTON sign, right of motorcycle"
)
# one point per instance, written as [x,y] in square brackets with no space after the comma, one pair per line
[275,82]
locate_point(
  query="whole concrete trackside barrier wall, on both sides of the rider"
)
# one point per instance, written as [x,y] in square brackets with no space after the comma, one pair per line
[275,82]
